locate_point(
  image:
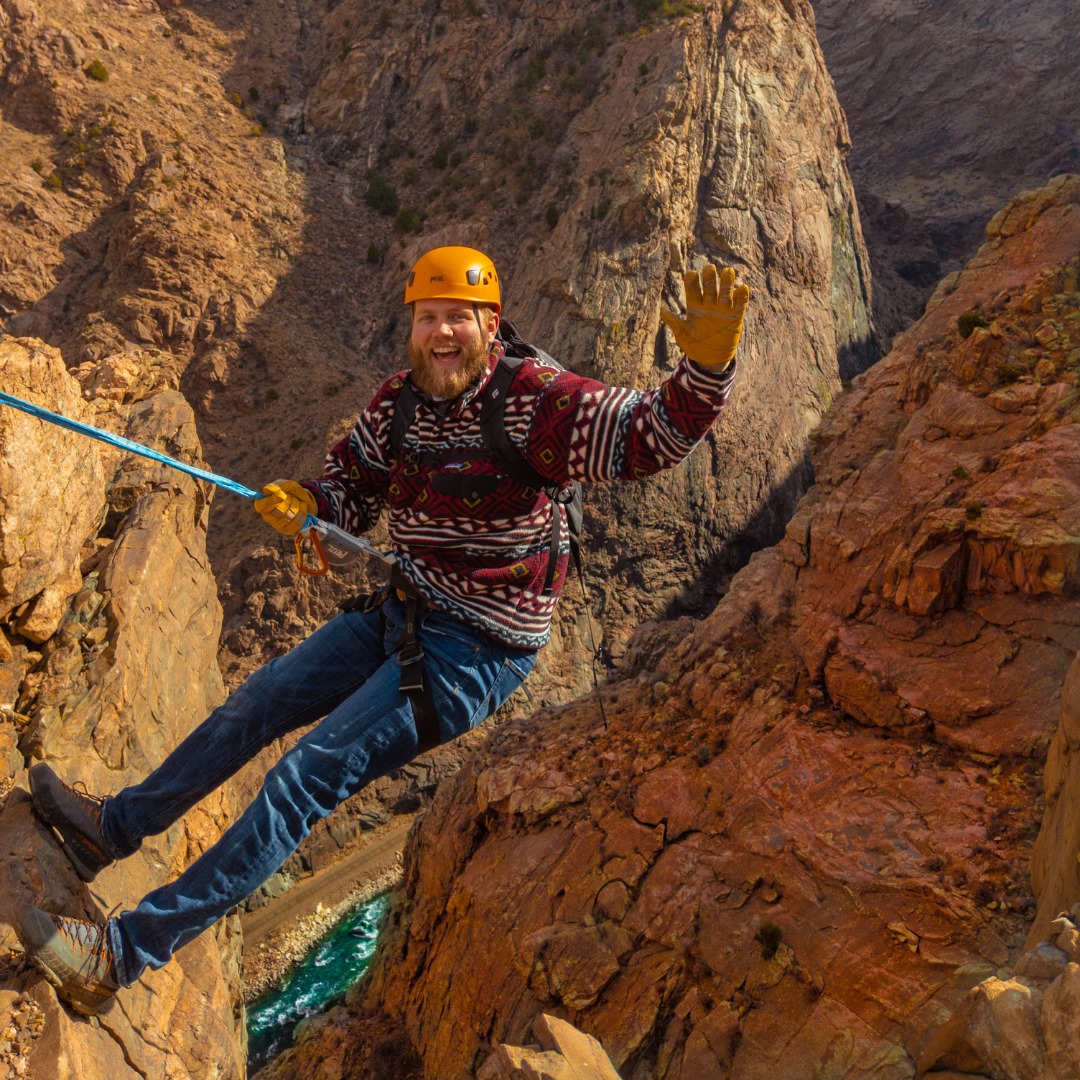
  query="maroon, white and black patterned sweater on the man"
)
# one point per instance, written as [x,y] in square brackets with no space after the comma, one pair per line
[485,560]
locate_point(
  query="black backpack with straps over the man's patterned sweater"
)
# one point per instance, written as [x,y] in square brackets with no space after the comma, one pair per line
[566,502]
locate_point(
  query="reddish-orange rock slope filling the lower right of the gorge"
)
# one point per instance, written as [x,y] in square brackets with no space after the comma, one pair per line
[801,838]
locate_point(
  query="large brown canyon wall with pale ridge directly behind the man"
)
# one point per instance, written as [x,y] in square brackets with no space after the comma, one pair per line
[242,188]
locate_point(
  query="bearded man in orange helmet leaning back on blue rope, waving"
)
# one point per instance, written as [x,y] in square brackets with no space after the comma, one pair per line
[481,559]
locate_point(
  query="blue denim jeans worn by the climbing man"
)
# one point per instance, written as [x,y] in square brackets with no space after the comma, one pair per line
[347,673]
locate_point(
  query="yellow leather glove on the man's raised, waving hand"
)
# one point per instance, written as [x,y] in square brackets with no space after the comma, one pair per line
[715,307]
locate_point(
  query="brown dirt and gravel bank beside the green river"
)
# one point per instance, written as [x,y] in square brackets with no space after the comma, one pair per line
[282,933]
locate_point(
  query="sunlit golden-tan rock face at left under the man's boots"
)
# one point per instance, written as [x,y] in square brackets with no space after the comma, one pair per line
[107,660]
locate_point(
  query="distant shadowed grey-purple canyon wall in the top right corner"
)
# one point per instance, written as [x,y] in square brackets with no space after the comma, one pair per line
[955,109]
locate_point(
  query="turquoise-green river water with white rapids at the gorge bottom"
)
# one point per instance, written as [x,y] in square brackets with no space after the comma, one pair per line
[336,963]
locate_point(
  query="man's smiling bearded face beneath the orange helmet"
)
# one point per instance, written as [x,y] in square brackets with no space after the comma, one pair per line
[449,350]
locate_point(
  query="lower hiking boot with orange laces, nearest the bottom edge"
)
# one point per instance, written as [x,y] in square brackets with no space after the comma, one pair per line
[74,955]
